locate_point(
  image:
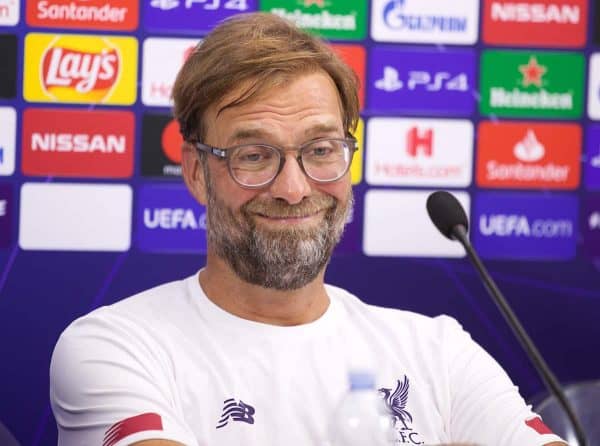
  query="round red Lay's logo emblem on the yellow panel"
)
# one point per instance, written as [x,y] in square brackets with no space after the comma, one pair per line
[82,72]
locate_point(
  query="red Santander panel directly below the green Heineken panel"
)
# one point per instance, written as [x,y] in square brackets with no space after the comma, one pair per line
[528,155]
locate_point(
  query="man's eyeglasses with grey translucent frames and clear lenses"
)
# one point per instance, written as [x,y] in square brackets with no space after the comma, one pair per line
[323,160]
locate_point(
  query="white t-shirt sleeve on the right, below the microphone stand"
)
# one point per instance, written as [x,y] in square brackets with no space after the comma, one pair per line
[486,407]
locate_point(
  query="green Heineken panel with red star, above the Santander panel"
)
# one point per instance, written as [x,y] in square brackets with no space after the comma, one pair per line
[531,84]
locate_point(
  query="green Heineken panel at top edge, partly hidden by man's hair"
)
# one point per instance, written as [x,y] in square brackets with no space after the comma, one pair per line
[332,19]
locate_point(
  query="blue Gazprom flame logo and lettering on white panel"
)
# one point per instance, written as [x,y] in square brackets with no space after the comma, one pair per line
[396,18]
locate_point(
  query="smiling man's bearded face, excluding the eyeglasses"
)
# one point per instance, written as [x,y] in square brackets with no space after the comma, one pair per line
[280,236]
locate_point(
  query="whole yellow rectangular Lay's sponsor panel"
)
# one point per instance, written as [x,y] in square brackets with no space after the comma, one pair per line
[80,69]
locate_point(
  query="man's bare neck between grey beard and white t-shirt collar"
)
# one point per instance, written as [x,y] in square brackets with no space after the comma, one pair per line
[253,302]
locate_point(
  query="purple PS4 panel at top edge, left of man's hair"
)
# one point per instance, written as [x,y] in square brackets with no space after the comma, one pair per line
[191,16]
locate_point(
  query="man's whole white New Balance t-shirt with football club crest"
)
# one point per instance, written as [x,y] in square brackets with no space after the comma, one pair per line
[170,364]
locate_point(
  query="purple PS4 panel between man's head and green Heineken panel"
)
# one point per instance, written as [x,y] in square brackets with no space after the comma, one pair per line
[422,81]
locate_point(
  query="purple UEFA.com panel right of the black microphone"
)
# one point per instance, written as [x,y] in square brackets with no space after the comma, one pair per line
[534,226]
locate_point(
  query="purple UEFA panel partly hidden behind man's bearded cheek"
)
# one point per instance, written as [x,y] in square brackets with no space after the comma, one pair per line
[168,219]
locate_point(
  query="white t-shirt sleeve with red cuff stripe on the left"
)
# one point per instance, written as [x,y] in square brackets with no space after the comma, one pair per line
[111,385]
